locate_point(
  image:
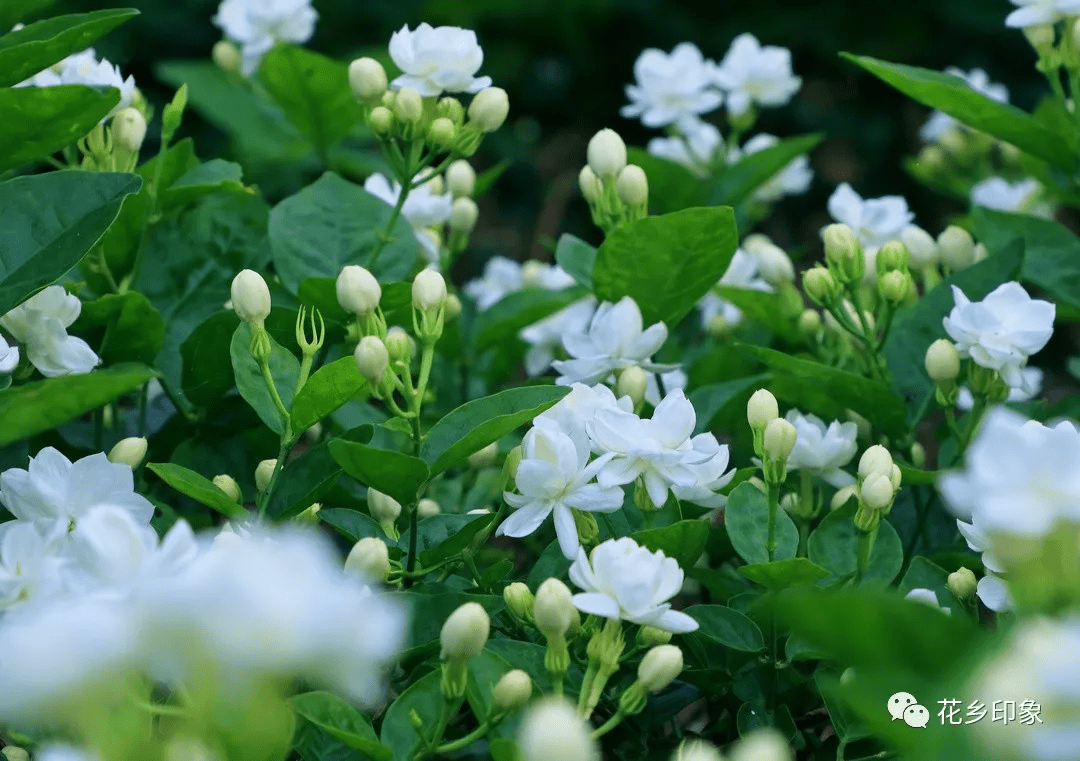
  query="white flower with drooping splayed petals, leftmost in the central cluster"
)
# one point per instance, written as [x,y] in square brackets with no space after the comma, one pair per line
[555,478]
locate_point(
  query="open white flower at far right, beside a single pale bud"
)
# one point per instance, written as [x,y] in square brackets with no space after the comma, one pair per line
[1003,331]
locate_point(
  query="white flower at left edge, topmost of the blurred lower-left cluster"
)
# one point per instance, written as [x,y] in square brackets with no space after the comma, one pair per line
[56,494]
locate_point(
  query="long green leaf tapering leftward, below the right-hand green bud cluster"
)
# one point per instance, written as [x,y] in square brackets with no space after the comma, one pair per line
[828,392]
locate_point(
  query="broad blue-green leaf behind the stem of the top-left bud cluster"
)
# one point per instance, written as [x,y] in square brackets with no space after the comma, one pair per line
[331,224]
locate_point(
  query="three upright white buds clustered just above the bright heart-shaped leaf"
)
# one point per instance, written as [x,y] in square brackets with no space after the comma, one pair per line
[617,193]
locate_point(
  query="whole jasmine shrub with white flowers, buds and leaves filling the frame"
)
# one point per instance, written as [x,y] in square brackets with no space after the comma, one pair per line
[277,488]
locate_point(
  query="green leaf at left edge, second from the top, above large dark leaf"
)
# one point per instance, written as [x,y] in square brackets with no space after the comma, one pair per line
[36,123]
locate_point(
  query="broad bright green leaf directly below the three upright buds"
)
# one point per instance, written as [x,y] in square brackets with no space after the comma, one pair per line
[667,264]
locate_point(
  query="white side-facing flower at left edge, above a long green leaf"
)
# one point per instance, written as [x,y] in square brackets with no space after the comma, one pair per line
[42,323]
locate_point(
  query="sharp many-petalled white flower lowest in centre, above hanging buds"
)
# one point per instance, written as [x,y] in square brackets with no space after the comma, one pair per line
[624,581]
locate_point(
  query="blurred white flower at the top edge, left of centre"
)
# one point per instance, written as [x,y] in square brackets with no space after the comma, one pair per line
[259,25]
